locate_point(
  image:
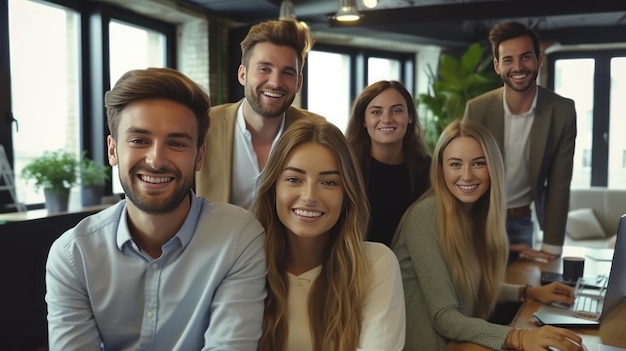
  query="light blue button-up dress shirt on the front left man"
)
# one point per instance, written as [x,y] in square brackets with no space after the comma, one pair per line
[205,292]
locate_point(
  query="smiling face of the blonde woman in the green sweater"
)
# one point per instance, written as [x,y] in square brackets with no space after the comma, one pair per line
[465,171]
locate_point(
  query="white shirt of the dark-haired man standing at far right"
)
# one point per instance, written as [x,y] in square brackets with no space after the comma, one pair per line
[516,155]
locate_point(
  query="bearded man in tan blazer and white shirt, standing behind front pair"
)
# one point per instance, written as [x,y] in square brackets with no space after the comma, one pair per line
[242,134]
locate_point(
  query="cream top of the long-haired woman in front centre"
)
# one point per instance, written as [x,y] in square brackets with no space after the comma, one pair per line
[383,326]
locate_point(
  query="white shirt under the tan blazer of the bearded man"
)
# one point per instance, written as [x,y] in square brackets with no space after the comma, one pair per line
[246,173]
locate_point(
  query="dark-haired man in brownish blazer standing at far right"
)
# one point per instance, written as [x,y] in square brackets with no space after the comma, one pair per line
[536,131]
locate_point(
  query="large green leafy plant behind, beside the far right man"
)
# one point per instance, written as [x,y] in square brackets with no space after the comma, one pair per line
[457,80]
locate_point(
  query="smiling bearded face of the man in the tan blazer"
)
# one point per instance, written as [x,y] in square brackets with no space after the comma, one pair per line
[270,79]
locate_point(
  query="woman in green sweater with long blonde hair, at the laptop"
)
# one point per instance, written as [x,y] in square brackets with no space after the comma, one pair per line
[452,249]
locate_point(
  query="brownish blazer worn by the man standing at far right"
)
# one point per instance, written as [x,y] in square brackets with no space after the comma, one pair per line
[552,141]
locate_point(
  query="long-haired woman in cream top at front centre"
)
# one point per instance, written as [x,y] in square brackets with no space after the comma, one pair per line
[327,288]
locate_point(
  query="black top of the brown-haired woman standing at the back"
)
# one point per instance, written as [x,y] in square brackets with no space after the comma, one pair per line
[388,191]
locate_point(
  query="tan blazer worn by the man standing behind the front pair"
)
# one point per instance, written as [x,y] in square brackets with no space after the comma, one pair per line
[213,181]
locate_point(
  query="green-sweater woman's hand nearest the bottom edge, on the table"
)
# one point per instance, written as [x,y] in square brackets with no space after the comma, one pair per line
[548,336]
